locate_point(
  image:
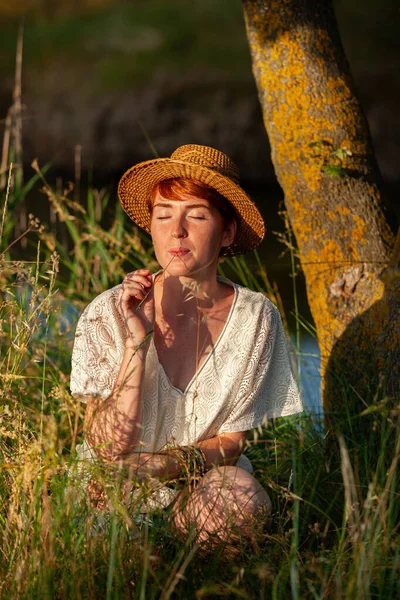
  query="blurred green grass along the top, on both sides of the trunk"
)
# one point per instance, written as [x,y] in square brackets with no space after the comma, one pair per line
[122,44]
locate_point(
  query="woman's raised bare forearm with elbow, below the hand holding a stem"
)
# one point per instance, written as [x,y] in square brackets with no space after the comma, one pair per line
[113,426]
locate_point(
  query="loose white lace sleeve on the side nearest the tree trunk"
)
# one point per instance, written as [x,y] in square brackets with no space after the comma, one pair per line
[268,388]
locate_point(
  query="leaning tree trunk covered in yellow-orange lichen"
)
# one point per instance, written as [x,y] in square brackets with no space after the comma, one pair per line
[324,161]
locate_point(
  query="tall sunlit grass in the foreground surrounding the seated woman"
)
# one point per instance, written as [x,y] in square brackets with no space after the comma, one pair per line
[334,532]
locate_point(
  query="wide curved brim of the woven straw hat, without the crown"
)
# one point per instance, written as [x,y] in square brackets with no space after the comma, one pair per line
[137,183]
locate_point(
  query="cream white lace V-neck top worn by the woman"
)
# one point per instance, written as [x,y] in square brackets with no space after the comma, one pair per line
[246,379]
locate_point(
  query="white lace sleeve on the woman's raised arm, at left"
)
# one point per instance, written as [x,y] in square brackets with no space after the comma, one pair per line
[96,354]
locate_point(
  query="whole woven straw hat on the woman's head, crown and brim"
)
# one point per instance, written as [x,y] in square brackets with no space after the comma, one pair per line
[201,164]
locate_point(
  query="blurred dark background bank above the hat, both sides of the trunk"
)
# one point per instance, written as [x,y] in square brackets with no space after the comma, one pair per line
[93,69]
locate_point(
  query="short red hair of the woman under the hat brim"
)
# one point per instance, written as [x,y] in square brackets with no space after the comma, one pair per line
[180,188]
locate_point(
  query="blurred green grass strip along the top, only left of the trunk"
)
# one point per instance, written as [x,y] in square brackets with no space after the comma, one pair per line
[130,41]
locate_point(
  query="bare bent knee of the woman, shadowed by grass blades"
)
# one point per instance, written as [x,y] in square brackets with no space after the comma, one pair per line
[223,508]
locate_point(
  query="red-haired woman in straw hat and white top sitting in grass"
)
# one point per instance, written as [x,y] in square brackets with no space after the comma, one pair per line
[178,366]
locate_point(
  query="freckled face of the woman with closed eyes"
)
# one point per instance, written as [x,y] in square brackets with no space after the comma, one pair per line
[188,235]
